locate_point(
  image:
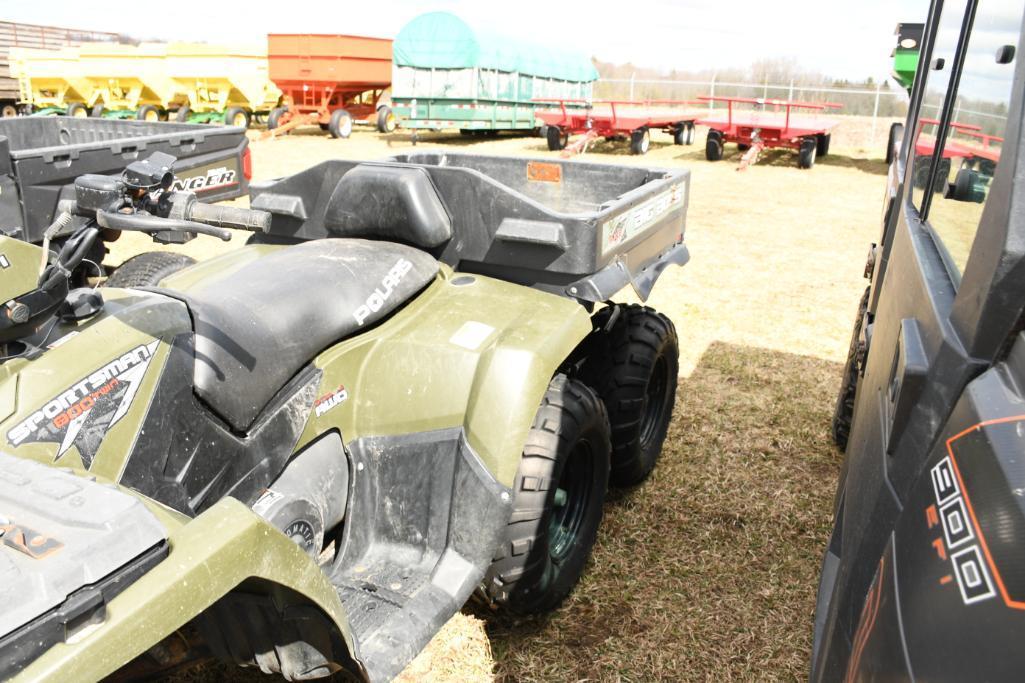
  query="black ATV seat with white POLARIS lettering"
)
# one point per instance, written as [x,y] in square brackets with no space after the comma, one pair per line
[258,327]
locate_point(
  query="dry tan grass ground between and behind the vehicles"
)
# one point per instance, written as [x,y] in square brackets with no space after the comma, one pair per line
[709,571]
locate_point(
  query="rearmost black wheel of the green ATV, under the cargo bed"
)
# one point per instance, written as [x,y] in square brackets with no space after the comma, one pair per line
[634,370]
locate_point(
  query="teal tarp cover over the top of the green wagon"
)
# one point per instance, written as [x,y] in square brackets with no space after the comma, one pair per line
[442,41]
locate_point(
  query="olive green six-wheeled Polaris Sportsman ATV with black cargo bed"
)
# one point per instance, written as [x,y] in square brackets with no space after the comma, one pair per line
[308,455]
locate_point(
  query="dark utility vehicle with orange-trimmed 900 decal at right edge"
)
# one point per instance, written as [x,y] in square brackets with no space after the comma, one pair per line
[925,574]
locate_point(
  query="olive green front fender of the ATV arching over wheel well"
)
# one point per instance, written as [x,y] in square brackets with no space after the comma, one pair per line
[210,556]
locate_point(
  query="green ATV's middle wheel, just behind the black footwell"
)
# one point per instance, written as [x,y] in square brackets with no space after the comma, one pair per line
[557,507]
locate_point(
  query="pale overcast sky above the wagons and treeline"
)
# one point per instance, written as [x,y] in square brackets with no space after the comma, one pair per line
[846,38]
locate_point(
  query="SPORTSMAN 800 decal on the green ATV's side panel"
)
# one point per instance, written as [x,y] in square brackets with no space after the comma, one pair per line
[84,414]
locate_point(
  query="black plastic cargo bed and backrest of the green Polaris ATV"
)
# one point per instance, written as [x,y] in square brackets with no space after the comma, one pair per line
[581,230]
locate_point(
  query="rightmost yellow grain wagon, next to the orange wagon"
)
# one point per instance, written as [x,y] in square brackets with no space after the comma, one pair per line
[215,84]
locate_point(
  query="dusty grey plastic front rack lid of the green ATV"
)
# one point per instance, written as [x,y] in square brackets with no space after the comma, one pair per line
[68,545]
